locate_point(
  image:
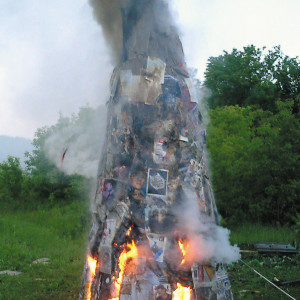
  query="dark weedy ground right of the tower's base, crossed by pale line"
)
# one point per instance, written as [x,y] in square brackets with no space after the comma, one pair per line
[248,285]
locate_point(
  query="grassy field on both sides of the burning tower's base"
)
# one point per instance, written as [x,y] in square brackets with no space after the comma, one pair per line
[61,233]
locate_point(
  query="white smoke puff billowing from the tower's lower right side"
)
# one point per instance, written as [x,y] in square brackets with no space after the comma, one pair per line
[207,241]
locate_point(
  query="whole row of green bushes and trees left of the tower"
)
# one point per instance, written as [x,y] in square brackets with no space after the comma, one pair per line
[42,183]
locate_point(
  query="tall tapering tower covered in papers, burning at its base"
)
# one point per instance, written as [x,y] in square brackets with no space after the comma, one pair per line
[142,244]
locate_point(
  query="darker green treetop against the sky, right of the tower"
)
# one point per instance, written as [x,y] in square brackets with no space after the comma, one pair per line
[253,76]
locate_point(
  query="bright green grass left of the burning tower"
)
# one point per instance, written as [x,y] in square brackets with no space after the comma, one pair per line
[58,234]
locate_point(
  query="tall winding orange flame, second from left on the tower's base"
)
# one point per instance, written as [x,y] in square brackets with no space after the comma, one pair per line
[124,257]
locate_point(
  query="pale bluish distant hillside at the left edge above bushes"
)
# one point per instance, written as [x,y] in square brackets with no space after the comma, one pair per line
[14,146]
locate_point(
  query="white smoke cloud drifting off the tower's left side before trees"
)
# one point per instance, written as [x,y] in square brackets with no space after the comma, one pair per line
[81,141]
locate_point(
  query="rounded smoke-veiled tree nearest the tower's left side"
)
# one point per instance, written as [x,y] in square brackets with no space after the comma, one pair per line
[49,183]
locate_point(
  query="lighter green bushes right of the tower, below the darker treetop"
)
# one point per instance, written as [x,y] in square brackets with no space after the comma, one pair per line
[255,159]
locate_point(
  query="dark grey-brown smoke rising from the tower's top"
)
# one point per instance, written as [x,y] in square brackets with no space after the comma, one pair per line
[147,13]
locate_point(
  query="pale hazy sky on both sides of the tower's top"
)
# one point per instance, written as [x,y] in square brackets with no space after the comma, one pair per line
[54,59]
